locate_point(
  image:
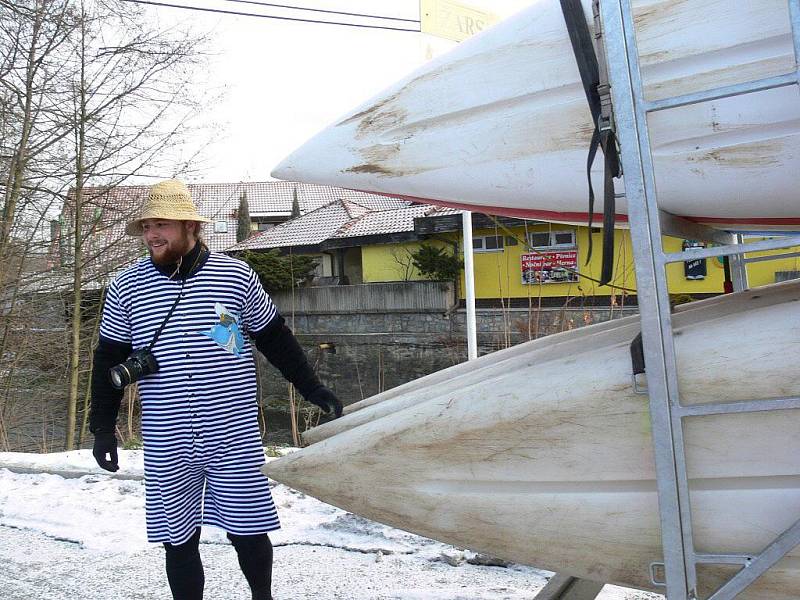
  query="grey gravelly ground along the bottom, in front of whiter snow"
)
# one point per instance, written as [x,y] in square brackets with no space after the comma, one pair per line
[38,567]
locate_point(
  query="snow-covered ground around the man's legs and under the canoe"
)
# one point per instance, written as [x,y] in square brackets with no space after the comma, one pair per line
[69,530]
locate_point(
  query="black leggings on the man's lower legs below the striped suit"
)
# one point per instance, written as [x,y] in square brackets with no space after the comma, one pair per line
[185,569]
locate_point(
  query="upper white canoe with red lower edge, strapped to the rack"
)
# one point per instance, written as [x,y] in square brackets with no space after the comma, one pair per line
[501,125]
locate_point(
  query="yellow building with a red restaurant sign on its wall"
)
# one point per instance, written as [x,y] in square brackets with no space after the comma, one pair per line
[520,261]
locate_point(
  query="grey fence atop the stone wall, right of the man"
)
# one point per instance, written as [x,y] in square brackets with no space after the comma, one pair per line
[406,296]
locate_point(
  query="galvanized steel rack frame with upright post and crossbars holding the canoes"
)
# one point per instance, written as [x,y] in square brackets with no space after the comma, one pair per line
[666,412]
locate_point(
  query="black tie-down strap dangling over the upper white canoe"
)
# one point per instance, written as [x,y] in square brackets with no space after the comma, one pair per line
[597,95]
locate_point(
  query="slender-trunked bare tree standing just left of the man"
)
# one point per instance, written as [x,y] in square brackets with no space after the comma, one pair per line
[129,107]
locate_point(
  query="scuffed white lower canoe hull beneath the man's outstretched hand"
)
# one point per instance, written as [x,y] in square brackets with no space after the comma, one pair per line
[542,454]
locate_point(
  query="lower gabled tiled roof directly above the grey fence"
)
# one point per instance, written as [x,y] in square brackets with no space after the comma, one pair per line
[342,219]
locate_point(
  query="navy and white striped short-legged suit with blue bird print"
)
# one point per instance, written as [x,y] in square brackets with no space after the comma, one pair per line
[202,448]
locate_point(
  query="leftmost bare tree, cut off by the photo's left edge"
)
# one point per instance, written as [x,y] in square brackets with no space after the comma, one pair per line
[33,45]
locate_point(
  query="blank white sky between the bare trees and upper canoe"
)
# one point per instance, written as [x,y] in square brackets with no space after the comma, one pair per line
[283,81]
